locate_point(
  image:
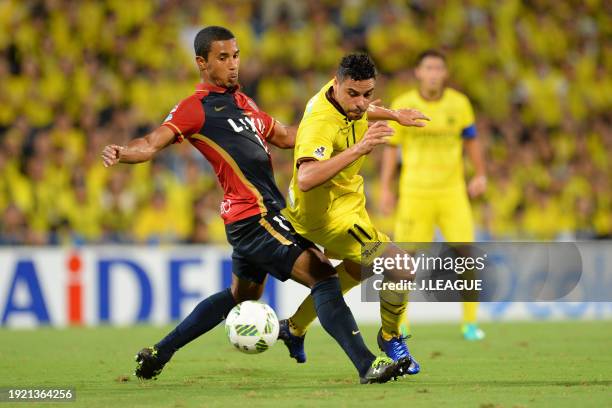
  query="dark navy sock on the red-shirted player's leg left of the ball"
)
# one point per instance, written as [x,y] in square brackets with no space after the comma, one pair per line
[205,316]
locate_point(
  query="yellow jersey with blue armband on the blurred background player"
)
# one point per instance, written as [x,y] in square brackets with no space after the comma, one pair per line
[432,157]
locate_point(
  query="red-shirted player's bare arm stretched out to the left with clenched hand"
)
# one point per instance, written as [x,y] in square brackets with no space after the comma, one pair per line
[140,149]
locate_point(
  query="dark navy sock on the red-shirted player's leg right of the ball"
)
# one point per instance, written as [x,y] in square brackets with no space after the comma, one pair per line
[337,319]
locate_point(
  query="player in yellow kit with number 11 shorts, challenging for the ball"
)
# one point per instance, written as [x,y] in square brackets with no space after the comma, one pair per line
[326,203]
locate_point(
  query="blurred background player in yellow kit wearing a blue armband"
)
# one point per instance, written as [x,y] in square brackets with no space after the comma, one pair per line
[432,190]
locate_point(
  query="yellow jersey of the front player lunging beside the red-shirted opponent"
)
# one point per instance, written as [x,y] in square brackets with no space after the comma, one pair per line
[324,132]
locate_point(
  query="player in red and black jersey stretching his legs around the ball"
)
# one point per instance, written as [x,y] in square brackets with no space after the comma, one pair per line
[228,128]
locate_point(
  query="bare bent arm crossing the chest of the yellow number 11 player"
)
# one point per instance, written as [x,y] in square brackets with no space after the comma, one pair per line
[312,172]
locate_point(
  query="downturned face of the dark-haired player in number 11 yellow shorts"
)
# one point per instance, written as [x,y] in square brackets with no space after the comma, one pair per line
[354,96]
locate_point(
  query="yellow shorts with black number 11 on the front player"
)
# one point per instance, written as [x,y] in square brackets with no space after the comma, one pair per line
[343,238]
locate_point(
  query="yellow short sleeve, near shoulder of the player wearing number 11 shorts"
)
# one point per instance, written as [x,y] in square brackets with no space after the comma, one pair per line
[314,141]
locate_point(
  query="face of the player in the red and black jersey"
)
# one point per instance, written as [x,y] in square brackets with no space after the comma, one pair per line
[222,65]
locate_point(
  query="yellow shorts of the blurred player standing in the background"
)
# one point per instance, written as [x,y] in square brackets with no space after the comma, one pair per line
[419,214]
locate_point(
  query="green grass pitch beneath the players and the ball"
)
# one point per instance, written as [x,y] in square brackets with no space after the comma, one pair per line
[518,365]
